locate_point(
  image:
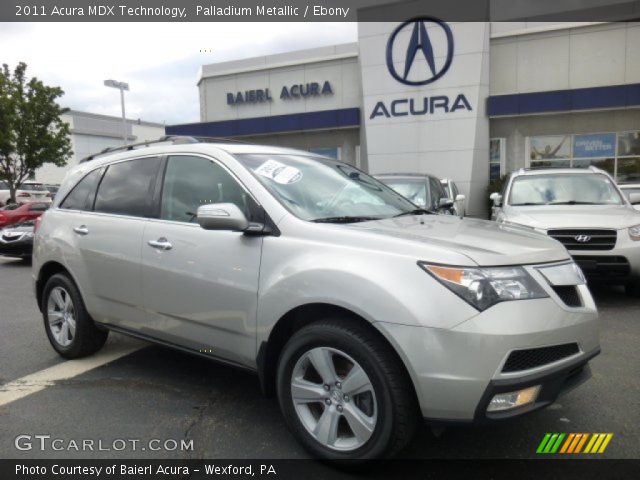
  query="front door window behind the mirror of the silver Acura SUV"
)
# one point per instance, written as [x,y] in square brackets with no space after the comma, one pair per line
[190,182]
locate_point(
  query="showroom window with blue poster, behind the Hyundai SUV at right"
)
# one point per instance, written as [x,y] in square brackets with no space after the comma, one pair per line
[616,153]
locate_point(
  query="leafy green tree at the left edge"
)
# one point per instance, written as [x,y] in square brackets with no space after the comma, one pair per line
[31,130]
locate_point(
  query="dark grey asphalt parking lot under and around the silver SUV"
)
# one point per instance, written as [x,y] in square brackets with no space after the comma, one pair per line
[156,393]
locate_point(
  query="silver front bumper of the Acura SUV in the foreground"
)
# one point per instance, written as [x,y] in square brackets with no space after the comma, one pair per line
[457,371]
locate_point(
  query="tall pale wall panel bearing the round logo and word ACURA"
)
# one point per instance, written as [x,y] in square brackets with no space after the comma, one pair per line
[425,83]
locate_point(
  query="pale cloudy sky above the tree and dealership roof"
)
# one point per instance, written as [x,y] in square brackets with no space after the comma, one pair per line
[160,61]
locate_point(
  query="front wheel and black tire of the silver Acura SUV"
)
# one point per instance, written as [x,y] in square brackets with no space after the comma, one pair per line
[387,407]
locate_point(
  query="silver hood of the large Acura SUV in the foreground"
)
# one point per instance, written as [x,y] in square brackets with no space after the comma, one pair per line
[484,242]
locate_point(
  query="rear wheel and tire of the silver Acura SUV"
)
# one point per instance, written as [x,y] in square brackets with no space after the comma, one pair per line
[62,307]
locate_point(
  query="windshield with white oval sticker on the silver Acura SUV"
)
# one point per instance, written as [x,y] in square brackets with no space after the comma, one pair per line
[319,189]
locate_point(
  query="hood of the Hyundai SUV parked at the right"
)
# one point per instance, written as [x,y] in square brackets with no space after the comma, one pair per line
[574,216]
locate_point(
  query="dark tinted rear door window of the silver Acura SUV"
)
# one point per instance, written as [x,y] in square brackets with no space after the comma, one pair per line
[127,188]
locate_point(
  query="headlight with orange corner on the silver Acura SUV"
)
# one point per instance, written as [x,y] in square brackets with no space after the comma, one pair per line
[484,287]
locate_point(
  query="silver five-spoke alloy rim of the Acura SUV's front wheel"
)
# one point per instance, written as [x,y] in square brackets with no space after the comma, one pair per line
[334,399]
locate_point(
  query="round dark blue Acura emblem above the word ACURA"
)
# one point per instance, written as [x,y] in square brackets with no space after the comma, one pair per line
[420,42]
